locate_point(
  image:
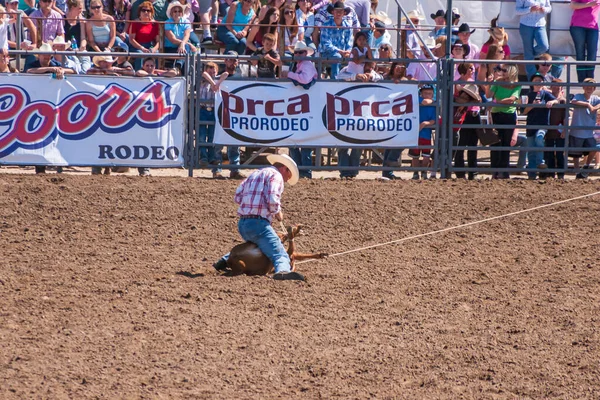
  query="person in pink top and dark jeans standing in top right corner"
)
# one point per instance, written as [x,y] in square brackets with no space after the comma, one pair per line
[584,31]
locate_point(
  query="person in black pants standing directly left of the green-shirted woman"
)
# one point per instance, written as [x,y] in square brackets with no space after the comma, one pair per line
[467,136]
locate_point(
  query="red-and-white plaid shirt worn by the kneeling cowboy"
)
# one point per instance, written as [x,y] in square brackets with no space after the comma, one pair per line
[260,193]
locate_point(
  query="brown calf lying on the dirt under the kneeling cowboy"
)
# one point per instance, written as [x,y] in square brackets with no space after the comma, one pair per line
[246,258]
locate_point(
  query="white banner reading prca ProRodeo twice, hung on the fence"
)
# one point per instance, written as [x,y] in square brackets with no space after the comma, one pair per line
[332,114]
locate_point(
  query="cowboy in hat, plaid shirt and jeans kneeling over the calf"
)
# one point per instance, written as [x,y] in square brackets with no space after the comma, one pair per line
[259,200]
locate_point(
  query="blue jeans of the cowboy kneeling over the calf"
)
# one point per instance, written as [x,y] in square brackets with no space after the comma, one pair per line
[261,233]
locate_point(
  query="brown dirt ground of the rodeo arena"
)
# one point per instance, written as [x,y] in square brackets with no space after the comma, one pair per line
[107,291]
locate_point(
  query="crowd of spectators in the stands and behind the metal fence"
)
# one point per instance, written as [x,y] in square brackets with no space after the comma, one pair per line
[352,35]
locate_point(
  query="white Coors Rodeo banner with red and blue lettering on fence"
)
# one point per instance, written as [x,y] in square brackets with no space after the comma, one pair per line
[91,121]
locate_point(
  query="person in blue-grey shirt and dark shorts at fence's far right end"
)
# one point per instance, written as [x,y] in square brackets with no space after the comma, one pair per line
[585,112]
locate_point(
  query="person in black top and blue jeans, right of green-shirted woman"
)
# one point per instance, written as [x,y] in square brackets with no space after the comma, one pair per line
[538,95]
